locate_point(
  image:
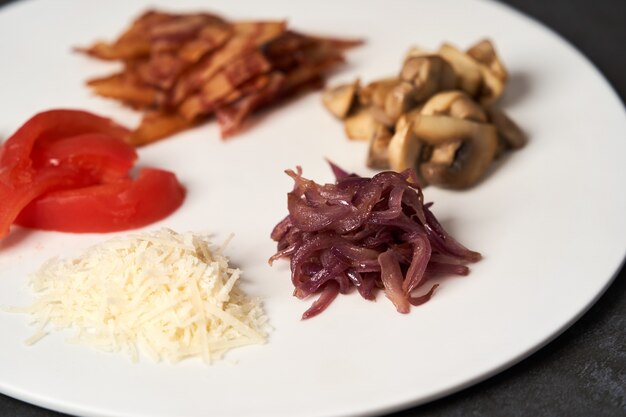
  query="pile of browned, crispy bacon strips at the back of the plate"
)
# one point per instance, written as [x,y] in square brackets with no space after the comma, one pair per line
[182,68]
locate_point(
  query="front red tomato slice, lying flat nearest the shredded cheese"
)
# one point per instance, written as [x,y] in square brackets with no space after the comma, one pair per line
[108,207]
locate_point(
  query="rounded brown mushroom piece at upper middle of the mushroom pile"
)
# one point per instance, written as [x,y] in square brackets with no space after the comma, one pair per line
[429,74]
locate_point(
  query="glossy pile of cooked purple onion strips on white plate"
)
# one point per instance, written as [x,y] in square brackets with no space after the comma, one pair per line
[369,233]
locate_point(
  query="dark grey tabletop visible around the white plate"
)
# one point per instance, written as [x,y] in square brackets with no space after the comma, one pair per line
[582,373]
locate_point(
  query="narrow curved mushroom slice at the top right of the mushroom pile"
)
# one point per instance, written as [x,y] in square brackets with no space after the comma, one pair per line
[493,71]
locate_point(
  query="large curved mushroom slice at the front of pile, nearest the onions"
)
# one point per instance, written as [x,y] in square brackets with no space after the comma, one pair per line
[478,143]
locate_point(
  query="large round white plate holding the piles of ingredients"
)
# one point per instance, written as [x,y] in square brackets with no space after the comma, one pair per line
[550,221]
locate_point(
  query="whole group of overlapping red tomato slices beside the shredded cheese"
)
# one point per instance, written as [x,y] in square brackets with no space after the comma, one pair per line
[67,170]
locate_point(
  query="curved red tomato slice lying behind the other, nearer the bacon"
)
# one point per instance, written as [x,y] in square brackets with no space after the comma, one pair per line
[59,160]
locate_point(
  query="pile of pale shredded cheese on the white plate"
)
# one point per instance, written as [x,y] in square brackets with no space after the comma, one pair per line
[164,294]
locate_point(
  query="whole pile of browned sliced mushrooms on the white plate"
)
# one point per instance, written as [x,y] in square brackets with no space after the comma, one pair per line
[437,115]
